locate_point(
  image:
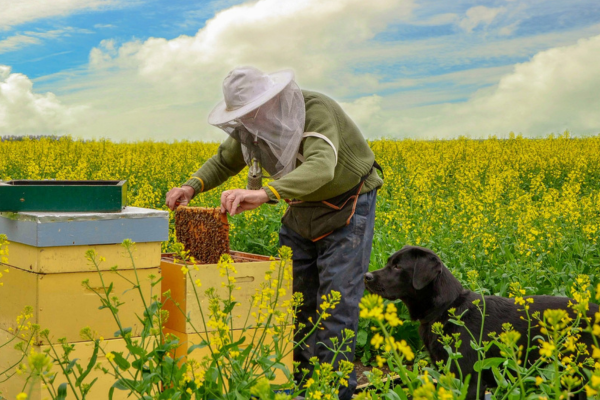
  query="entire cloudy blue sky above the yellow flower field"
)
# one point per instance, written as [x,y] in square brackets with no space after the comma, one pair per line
[131,70]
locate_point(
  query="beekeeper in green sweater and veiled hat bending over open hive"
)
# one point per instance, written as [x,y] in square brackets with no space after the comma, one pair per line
[323,167]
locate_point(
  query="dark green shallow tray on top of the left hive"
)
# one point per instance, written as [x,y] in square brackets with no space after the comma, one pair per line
[63,196]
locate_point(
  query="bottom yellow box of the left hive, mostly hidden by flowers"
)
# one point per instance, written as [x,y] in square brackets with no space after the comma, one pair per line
[83,351]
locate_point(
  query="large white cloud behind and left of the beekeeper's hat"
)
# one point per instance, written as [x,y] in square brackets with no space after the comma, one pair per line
[164,89]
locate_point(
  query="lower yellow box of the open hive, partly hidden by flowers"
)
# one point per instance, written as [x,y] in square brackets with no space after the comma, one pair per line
[188,340]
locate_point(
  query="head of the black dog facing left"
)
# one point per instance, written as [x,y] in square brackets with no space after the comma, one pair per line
[416,276]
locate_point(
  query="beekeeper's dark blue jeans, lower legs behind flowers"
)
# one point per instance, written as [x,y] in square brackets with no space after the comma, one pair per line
[336,262]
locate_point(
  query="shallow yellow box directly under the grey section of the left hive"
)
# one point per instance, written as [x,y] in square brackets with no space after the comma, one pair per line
[52,260]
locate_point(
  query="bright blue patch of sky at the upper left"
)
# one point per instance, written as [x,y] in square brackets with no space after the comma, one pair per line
[139,20]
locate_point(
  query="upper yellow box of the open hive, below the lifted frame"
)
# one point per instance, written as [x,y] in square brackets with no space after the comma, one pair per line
[251,271]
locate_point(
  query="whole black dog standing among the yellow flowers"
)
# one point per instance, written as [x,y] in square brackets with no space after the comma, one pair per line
[418,277]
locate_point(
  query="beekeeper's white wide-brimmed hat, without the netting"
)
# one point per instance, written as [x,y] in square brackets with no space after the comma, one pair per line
[245,89]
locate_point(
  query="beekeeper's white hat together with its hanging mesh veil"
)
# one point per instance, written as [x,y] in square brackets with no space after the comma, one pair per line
[265,113]
